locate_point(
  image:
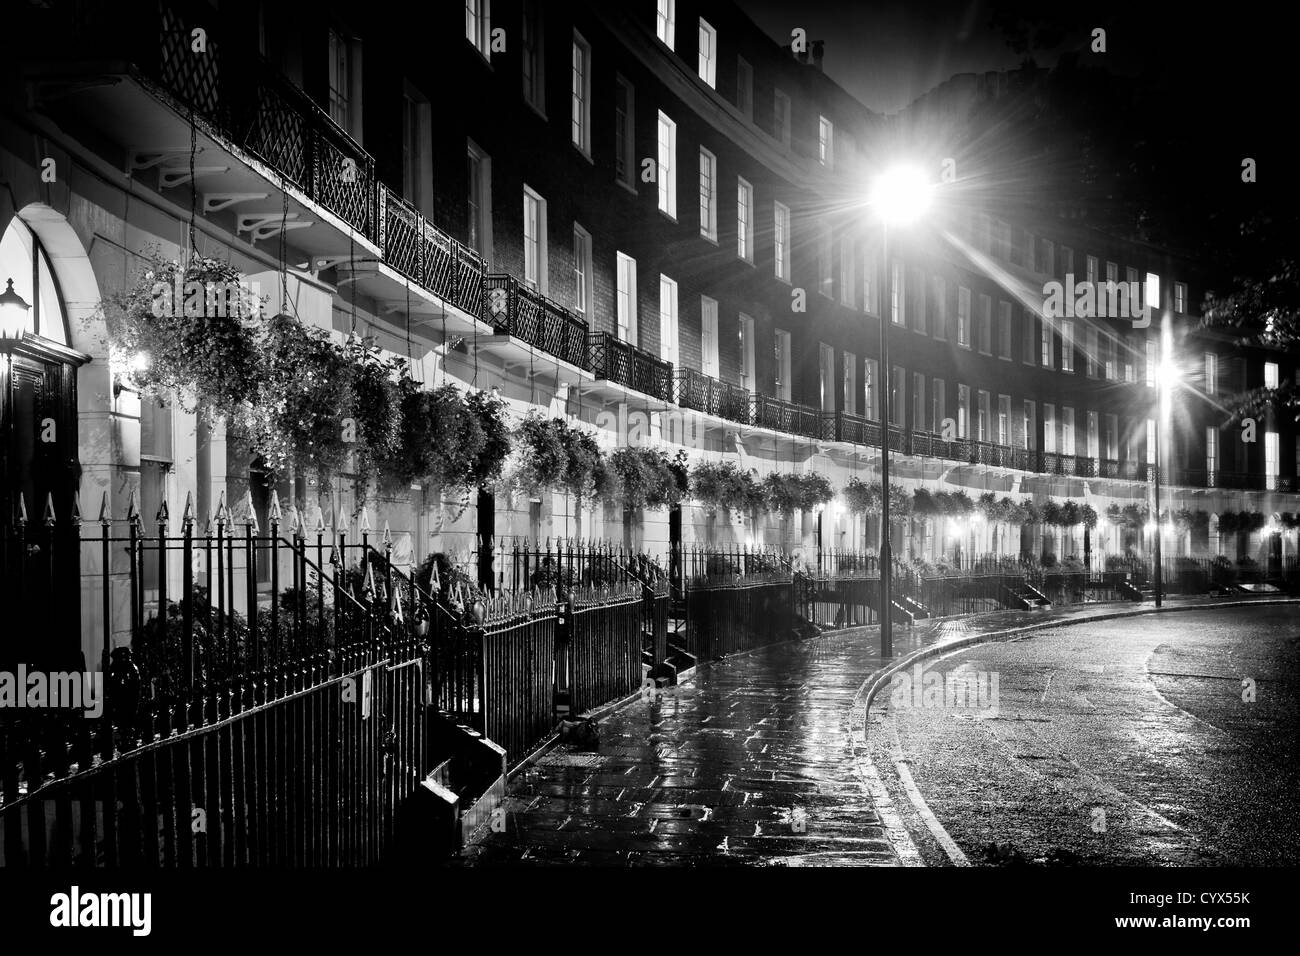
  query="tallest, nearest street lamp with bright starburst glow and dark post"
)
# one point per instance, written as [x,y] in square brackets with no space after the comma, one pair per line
[900,196]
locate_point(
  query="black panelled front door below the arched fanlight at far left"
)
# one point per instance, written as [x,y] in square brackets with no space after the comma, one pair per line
[40,473]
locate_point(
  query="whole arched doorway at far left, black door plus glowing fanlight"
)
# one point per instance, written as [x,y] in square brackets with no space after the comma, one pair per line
[40,465]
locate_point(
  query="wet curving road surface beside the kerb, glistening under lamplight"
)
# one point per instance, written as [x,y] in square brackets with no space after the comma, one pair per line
[1125,742]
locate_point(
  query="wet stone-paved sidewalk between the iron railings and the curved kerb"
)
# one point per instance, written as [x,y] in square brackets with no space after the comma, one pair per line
[749,762]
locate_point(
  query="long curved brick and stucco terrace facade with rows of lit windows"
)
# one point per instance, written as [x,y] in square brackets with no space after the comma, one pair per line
[605,213]
